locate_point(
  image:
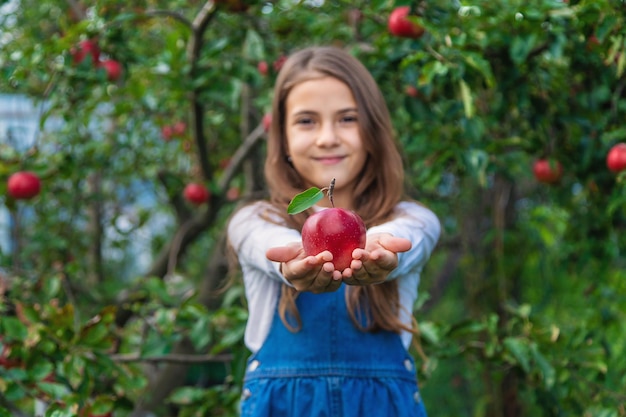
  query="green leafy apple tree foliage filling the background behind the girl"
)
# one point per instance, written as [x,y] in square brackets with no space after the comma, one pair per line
[109,271]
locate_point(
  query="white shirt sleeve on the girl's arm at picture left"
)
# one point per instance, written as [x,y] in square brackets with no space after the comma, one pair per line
[251,233]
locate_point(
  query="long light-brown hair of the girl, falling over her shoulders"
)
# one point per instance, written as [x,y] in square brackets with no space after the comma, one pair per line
[379,188]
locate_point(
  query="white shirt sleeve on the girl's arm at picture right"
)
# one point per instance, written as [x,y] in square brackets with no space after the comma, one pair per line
[417,224]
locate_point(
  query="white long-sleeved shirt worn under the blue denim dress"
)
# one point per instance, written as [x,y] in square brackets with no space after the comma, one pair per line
[251,235]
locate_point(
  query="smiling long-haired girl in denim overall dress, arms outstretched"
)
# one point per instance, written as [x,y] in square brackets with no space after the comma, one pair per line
[326,342]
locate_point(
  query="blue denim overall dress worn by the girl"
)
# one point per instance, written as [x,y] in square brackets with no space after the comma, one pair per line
[330,368]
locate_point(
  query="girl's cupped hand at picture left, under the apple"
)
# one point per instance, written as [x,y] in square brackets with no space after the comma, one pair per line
[306,273]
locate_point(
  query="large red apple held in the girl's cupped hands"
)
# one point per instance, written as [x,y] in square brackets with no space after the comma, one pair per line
[337,230]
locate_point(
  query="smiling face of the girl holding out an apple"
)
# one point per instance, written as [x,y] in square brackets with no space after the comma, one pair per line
[323,138]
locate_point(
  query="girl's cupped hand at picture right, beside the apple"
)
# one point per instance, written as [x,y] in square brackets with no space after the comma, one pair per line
[373,264]
